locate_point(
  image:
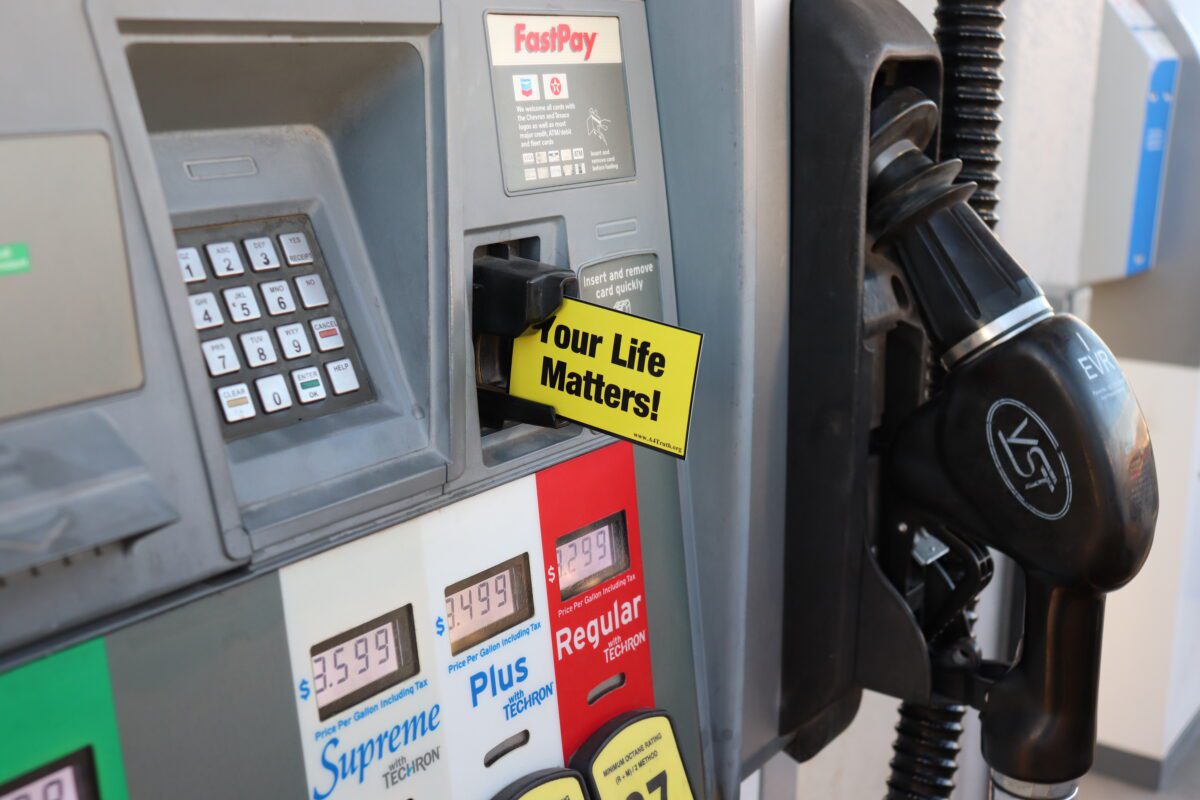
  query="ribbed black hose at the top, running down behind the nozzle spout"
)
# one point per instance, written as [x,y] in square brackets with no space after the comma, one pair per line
[969,34]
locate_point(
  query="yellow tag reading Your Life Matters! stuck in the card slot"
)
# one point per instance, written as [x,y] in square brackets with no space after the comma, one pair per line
[619,374]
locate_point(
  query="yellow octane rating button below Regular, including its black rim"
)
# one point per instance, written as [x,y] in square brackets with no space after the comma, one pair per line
[635,757]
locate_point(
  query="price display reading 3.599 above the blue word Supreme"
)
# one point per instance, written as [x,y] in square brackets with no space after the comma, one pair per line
[359,664]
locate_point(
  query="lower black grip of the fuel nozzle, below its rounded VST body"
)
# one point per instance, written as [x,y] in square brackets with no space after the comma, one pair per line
[1040,719]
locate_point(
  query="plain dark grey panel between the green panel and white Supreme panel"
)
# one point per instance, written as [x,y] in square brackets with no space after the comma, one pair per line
[200,701]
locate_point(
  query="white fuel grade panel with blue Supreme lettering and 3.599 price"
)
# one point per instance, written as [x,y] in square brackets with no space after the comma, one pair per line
[364,675]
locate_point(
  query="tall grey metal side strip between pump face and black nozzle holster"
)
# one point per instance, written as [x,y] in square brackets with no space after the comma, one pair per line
[728,190]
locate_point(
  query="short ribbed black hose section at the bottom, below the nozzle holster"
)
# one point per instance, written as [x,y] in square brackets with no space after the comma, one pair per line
[927,750]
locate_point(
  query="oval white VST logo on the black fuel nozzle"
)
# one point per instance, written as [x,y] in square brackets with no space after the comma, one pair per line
[1029,459]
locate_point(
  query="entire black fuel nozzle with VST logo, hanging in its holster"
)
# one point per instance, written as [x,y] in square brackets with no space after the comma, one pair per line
[1034,446]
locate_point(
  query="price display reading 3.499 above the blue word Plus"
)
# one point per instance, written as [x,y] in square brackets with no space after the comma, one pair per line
[489,603]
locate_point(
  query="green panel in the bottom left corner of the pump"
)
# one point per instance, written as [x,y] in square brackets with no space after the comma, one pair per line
[58,706]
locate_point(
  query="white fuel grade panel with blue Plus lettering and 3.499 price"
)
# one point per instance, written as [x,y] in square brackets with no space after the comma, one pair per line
[493,637]
